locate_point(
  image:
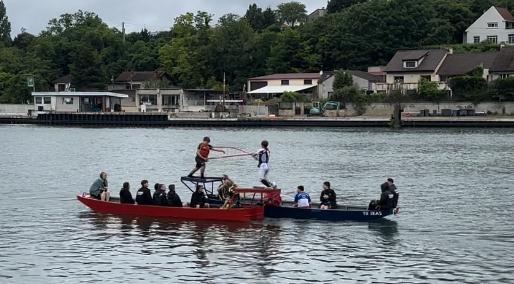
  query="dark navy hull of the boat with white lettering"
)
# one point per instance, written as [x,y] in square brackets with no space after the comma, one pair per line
[326,214]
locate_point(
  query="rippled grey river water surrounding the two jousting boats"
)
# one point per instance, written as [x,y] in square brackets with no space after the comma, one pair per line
[456,198]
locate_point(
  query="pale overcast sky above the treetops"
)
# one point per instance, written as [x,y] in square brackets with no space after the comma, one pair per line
[155,15]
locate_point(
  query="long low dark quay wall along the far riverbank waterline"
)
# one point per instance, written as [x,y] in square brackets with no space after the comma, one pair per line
[164,121]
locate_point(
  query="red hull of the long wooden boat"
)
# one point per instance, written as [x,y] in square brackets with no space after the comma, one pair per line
[233,214]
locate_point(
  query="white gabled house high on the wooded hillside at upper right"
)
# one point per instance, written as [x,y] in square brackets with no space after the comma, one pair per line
[496,25]
